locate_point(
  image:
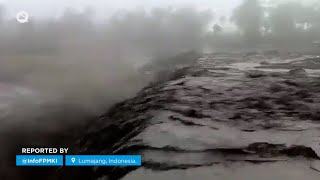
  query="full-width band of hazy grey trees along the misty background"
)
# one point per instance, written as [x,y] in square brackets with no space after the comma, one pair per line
[168,30]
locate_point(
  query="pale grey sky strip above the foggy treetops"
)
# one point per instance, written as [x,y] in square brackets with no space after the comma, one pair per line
[49,8]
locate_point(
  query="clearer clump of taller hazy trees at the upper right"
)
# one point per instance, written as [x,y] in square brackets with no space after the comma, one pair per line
[290,24]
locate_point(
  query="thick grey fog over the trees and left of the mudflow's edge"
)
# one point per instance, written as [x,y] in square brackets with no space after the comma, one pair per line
[58,72]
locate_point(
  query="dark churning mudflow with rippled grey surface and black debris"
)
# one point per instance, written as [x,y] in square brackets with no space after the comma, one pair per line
[224,116]
